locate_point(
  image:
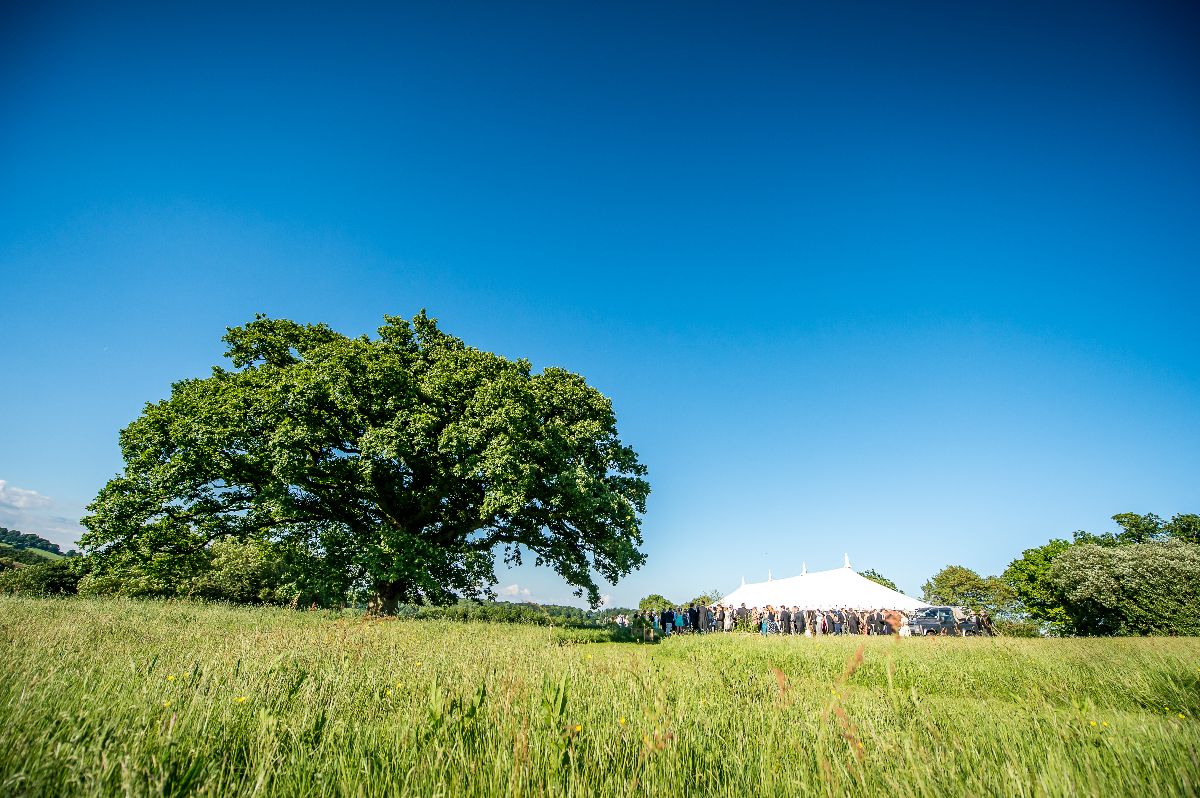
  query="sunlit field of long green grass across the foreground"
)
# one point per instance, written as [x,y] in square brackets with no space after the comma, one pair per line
[116,698]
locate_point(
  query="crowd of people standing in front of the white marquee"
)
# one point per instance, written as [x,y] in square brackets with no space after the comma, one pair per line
[789,621]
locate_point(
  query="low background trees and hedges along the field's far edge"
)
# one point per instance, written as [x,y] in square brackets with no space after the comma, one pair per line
[1141,579]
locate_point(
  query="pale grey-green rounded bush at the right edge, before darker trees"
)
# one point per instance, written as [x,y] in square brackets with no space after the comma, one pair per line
[1148,589]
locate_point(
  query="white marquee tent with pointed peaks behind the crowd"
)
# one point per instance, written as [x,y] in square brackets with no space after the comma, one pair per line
[842,587]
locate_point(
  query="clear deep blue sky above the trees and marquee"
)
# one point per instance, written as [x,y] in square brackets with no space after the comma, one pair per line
[914,281]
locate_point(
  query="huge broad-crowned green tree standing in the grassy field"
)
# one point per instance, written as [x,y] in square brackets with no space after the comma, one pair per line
[405,464]
